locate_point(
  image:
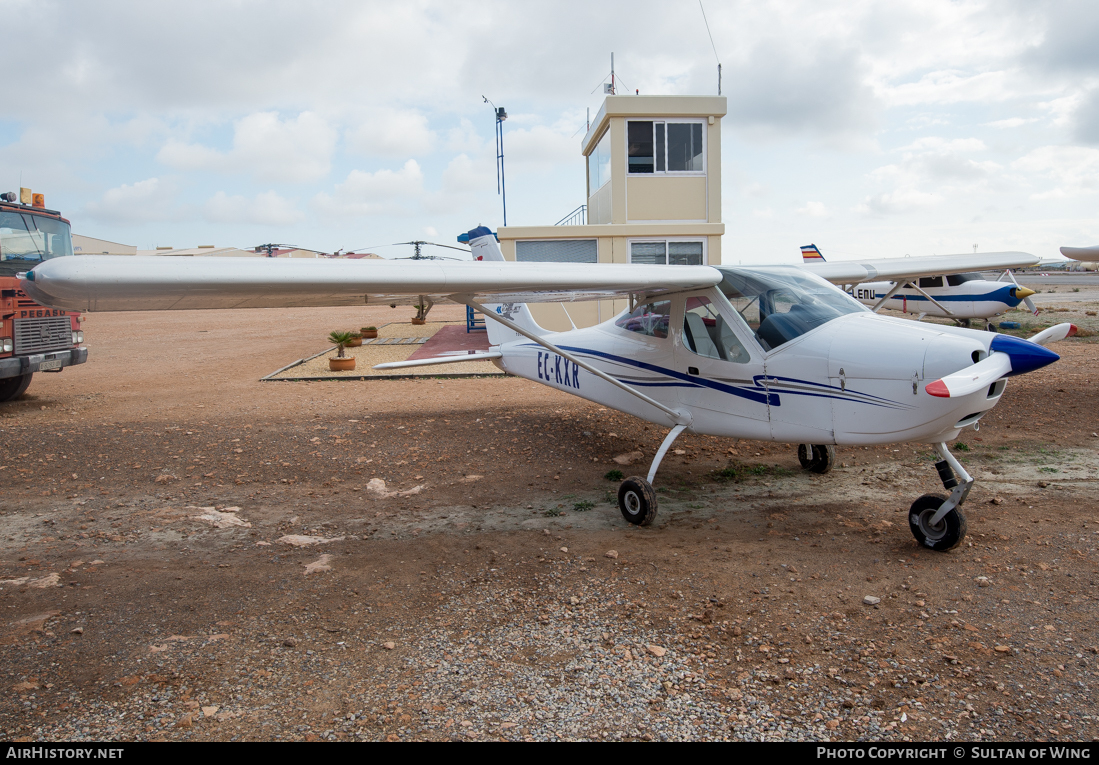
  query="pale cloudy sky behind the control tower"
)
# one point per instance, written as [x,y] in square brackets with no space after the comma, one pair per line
[872,129]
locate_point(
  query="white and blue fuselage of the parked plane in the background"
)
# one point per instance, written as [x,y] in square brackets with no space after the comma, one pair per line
[975,300]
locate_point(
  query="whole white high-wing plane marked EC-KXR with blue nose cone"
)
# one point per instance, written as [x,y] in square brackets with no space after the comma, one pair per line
[761,353]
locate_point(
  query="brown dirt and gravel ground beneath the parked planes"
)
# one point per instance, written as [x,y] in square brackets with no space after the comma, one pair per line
[153,585]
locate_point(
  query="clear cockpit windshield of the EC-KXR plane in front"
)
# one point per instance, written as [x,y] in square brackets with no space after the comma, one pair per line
[782,304]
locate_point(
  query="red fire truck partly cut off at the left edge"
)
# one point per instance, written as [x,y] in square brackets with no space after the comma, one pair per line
[32,337]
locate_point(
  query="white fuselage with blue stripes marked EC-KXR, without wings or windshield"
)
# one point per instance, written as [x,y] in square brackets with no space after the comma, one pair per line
[857,380]
